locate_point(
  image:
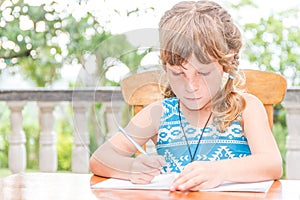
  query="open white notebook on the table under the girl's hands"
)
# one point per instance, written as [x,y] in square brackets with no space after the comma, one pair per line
[164,181]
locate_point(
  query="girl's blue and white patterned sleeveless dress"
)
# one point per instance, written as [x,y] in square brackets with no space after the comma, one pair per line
[214,145]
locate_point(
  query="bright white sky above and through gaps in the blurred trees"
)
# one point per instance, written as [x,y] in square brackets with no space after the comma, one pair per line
[118,22]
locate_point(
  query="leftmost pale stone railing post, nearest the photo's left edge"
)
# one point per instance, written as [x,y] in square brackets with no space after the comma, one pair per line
[17,139]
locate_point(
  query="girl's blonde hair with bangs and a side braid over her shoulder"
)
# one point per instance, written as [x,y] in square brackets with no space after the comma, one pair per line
[206,30]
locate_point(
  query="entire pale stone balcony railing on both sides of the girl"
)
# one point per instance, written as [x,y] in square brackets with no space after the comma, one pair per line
[112,100]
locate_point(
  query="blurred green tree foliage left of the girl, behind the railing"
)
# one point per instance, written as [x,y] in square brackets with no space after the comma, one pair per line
[38,40]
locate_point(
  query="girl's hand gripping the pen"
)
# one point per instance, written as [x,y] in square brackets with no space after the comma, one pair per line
[145,167]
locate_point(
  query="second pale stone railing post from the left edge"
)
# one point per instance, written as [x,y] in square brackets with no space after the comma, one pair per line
[48,152]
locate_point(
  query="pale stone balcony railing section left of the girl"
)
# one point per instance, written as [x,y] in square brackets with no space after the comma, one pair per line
[47,99]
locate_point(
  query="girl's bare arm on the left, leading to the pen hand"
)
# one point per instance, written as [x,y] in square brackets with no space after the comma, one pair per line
[114,157]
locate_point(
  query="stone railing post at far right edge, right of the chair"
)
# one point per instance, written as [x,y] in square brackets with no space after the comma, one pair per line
[292,105]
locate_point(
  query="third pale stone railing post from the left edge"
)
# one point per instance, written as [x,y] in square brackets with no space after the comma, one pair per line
[80,152]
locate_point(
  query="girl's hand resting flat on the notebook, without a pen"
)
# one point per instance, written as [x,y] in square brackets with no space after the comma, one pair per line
[199,175]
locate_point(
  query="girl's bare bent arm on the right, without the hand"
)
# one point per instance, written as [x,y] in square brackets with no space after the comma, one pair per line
[265,162]
